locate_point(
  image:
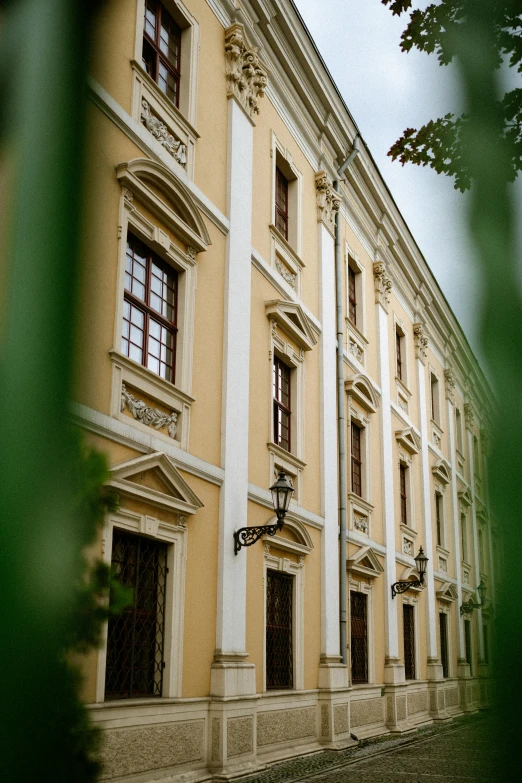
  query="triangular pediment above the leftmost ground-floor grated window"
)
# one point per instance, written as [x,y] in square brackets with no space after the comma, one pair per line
[153,479]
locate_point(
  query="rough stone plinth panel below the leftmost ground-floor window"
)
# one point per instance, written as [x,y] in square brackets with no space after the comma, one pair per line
[131,751]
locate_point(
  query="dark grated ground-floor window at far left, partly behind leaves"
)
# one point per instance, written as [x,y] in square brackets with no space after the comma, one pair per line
[135,637]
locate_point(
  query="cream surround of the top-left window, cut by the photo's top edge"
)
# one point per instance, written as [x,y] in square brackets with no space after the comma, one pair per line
[180,122]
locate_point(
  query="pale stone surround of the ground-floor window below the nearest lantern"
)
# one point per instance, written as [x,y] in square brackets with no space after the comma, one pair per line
[274,562]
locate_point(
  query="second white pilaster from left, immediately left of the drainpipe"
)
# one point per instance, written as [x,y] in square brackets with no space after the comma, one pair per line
[329,468]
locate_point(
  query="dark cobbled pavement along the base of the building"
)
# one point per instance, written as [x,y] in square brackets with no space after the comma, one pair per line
[462,751]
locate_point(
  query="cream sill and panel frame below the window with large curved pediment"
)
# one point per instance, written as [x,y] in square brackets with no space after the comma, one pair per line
[140,380]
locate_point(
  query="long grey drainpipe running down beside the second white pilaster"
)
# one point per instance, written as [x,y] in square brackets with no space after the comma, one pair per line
[340,408]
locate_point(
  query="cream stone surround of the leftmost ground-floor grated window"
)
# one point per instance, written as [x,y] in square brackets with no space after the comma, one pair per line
[175,536]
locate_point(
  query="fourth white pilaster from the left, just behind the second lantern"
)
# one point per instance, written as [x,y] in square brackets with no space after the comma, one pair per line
[426,509]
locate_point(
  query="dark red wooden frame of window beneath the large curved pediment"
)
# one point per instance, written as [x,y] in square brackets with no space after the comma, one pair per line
[149,312]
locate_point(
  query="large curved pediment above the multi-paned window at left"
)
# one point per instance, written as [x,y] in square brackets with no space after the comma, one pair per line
[166,197]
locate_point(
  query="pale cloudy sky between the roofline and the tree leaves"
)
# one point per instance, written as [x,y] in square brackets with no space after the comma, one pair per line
[387,91]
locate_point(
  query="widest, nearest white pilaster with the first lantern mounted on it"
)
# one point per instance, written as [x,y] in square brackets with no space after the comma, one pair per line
[231,600]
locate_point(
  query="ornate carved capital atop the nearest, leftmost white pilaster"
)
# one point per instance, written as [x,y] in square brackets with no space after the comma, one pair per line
[246,75]
